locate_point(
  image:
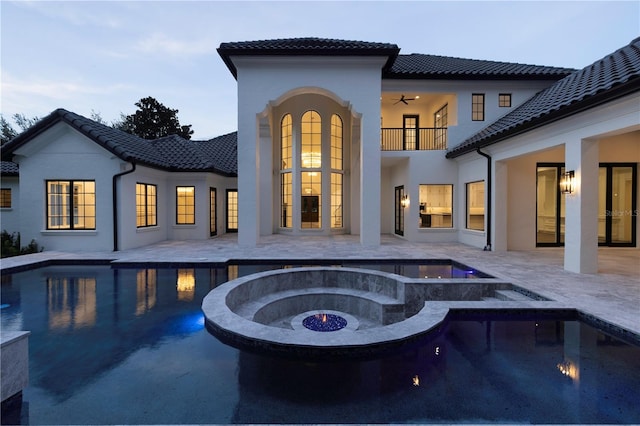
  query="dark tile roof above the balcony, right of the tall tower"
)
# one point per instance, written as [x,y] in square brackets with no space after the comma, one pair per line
[420,66]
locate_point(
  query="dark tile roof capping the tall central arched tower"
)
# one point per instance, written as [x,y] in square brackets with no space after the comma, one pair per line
[307,46]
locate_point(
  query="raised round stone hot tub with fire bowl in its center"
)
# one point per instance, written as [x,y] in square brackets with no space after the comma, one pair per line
[317,312]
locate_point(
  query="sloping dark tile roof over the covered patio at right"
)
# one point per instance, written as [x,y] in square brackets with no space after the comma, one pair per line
[612,77]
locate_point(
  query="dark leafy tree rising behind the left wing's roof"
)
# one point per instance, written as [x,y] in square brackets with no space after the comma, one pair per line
[153,120]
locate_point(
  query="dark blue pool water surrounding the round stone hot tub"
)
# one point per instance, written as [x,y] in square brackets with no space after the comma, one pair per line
[128,346]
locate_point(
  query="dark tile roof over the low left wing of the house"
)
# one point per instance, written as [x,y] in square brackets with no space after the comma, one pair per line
[171,153]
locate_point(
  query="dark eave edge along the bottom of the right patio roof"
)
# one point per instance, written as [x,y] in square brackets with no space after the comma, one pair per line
[591,102]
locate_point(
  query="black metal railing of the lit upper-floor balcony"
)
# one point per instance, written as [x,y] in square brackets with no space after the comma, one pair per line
[419,139]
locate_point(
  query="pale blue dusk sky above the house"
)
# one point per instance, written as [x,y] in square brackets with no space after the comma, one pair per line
[89,56]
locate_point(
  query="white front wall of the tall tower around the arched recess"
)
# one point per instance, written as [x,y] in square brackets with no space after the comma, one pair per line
[266,81]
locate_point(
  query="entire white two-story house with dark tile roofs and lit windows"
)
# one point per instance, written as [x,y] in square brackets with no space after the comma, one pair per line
[349,137]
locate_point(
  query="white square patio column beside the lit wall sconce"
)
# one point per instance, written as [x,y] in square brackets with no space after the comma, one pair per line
[581,216]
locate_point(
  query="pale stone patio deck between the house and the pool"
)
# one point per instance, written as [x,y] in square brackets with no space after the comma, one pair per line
[612,295]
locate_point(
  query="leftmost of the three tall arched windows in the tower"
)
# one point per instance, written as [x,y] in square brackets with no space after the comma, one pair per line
[286,164]
